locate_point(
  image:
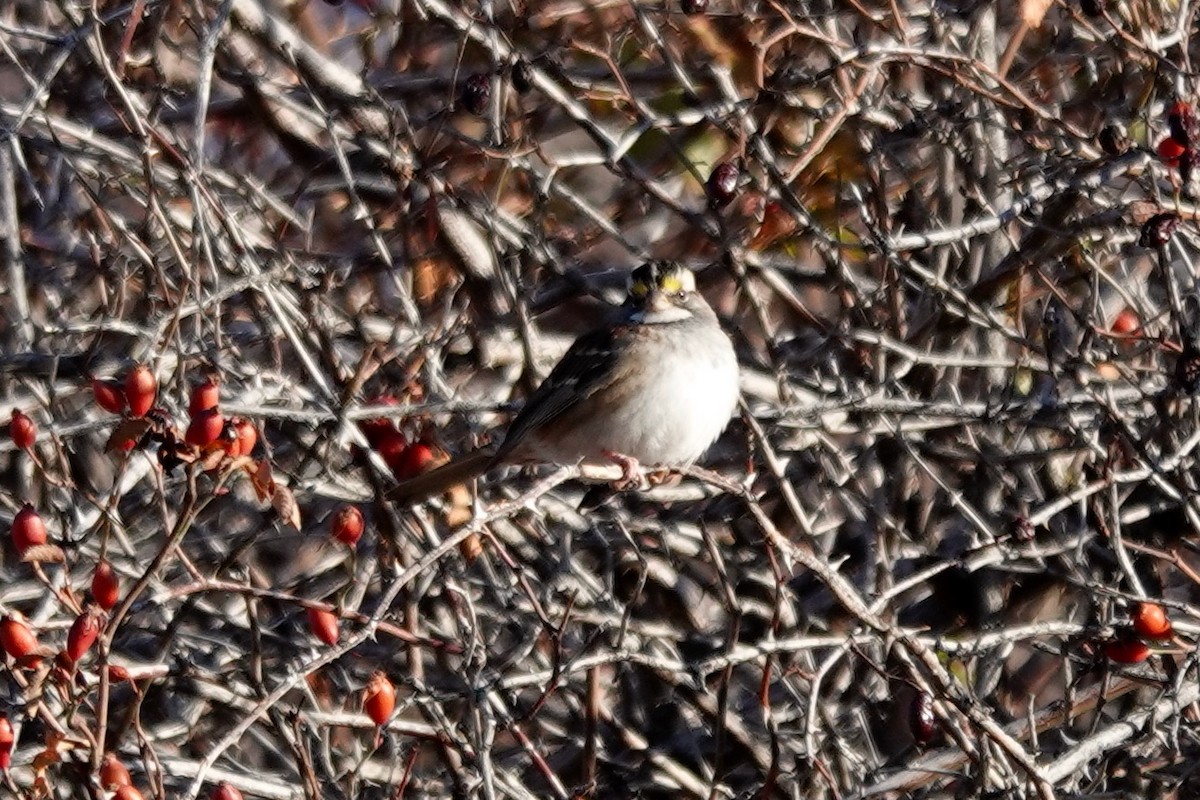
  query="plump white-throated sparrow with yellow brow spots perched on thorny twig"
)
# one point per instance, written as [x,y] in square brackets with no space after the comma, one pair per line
[656,387]
